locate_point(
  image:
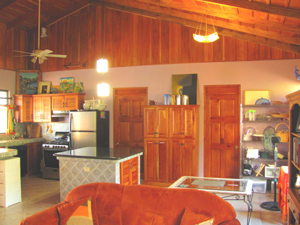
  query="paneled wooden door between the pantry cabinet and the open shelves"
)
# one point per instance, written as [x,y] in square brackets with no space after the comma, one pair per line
[221,131]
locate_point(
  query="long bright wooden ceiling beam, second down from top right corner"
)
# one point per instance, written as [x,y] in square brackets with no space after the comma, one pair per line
[267,24]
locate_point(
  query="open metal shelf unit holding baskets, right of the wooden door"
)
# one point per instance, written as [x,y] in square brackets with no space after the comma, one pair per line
[260,124]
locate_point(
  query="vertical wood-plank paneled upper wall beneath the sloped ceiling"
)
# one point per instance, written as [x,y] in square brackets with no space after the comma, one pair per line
[129,40]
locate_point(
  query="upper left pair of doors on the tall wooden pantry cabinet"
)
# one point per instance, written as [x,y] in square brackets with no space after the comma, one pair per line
[156,122]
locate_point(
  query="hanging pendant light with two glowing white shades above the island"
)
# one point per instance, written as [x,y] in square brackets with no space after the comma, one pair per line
[102,65]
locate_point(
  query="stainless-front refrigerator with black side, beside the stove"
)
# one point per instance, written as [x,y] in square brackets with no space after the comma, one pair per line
[89,129]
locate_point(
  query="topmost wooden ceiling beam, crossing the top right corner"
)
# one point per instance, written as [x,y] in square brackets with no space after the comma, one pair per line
[259,7]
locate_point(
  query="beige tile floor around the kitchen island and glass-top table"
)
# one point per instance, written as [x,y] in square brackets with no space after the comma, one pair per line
[39,194]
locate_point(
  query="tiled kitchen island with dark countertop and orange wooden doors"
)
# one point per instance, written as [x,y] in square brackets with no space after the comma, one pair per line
[98,164]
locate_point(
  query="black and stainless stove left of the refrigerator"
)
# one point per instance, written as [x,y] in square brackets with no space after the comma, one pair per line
[50,165]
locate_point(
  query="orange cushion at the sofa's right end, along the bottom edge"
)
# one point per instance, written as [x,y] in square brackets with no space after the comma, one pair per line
[191,218]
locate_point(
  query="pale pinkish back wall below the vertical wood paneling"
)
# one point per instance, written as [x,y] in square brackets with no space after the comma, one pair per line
[274,75]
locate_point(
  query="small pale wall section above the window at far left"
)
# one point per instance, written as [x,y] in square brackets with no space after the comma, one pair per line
[8,81]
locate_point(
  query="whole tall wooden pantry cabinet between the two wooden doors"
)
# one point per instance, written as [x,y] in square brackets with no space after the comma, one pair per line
[176,154]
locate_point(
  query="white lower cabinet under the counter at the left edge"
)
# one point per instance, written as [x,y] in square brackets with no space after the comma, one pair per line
[10,181]
